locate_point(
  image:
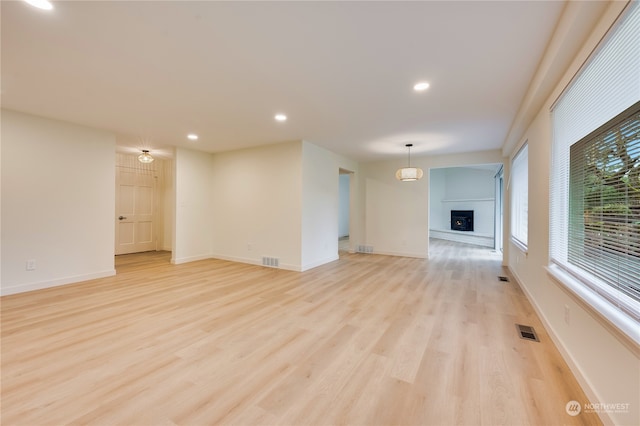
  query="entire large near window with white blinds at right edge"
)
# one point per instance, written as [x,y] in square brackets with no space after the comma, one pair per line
[595,179]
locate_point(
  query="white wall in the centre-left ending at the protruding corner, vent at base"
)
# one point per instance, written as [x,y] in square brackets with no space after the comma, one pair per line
[257,204]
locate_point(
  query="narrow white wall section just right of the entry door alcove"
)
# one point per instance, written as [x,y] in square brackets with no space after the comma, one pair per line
[194,213]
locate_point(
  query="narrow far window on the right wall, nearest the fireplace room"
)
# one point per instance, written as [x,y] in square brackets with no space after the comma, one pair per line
[520,197]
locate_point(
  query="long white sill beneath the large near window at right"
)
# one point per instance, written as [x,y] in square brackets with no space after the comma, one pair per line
[622,324]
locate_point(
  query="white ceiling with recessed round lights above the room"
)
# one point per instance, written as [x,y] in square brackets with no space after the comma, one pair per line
[343,72]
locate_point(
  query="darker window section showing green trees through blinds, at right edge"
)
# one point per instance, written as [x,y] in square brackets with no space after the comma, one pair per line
[604,203]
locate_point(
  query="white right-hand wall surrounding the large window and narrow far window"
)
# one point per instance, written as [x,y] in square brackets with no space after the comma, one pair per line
[604,361]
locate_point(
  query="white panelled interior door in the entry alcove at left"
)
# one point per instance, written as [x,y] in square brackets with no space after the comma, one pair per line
[135,231]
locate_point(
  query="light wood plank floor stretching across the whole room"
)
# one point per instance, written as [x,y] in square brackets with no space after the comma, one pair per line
[365,340]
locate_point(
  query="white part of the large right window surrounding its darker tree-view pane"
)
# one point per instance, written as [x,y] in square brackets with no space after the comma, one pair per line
[607,85]
